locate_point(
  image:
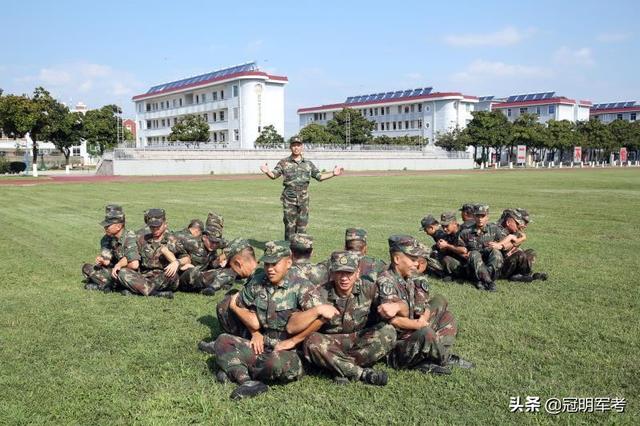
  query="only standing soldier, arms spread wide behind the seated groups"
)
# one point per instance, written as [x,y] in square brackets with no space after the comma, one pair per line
[296,172]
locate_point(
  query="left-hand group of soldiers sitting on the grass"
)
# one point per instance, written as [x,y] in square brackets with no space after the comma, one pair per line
[155,261]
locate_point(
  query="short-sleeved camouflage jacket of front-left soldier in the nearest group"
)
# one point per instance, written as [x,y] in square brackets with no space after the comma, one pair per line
[274,304]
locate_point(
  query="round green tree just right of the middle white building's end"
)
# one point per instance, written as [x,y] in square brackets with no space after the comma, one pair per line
[488,129]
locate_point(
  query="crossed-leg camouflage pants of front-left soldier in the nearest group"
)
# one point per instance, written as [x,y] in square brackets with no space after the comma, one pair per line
[235,357]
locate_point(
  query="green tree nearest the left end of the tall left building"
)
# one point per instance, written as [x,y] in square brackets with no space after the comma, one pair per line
[101,128]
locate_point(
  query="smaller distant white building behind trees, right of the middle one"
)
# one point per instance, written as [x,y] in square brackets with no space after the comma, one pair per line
[546,105]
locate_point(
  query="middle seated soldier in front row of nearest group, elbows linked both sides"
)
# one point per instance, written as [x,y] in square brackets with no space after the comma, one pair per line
[344,345]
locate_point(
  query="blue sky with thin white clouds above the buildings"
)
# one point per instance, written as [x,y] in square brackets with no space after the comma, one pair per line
[106,52]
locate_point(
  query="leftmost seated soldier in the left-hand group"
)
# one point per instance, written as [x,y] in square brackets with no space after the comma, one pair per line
[117,250]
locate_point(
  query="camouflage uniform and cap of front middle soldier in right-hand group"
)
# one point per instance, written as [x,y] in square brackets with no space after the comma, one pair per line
[484,263]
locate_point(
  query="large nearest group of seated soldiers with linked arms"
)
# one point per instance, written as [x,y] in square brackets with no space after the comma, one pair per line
[341,316]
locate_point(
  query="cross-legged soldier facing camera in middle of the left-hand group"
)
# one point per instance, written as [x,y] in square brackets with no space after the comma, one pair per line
[158,265]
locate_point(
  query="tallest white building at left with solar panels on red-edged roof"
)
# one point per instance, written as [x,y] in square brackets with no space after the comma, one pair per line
[236,102]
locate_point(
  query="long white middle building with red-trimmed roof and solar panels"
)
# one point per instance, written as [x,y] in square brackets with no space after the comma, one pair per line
[414,112]
